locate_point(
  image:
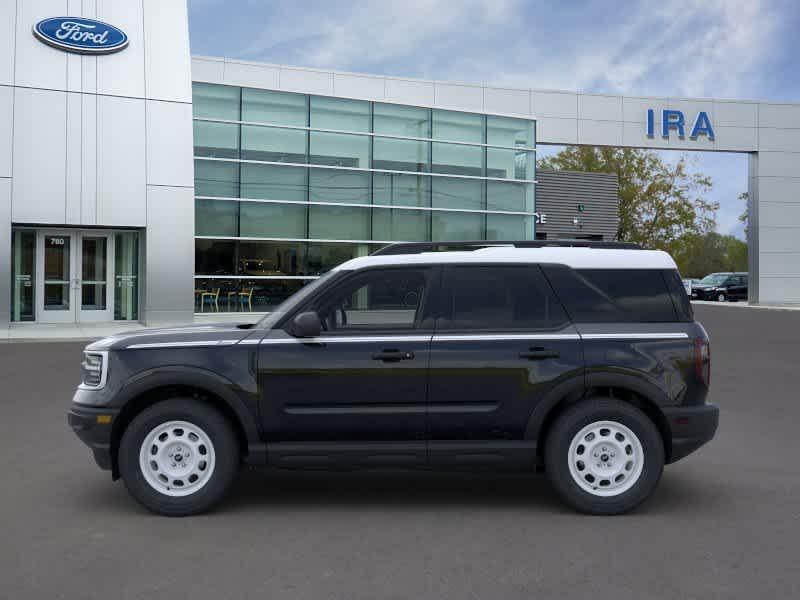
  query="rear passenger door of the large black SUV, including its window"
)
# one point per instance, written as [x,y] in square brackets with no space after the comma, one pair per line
[502,341]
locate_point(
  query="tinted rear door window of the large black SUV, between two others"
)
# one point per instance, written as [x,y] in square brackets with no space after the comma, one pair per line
[497,298]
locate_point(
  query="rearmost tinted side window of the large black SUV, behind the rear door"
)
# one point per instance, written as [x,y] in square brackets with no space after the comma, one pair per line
[613,295]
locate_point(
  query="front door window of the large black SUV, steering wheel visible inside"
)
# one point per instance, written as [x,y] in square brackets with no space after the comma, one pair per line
[376,300]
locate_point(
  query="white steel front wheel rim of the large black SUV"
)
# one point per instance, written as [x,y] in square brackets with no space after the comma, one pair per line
[177,458]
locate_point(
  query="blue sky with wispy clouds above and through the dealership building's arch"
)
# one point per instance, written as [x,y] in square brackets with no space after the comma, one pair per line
[743,49]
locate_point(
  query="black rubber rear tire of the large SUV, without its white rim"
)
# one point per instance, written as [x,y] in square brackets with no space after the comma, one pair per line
[571,422]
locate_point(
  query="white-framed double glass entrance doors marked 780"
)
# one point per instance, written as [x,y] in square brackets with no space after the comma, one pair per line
[73,280]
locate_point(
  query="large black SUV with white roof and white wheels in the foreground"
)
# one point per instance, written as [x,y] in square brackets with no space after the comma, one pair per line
[585,362]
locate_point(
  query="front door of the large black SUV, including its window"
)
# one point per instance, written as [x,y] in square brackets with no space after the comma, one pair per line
[364,378]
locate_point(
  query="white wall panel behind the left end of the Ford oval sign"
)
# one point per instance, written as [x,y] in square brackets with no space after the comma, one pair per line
[36,64]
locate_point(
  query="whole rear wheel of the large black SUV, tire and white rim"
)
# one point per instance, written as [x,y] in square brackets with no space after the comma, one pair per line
[635,482]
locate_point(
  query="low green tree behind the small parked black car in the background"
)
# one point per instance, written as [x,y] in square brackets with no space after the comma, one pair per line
[698,255]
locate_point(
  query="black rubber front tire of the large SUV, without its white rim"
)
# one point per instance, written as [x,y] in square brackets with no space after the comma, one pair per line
[226,453]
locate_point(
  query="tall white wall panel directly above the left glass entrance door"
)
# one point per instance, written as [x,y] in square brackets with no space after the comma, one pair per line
[39,155]
